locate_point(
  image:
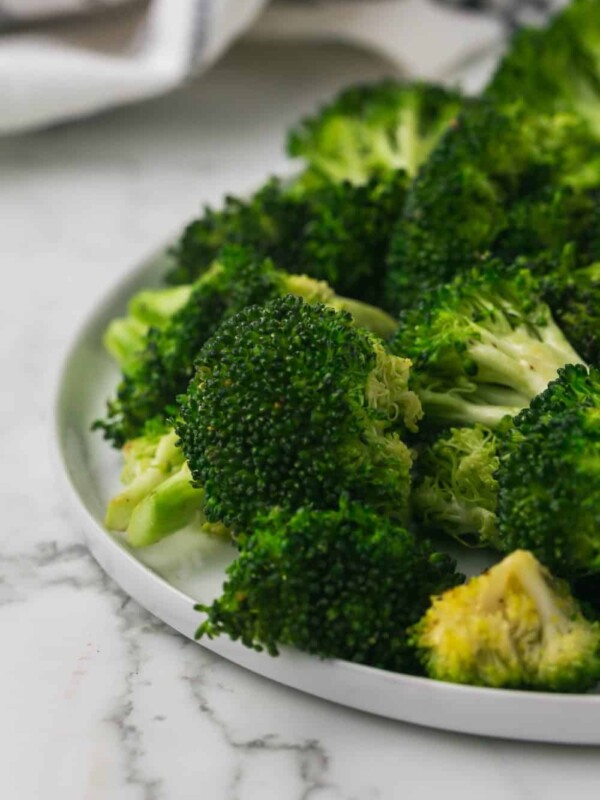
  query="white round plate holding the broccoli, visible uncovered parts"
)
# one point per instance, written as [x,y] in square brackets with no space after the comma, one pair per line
[169,577]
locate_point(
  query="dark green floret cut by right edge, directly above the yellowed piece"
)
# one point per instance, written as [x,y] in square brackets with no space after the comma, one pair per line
[548,490]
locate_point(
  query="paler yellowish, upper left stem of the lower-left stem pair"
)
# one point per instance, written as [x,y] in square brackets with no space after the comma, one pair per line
[167,459]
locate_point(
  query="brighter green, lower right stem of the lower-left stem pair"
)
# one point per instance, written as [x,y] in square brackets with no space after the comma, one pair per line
[172,505]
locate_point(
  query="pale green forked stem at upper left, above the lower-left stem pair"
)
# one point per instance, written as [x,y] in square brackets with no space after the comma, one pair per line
[125,337]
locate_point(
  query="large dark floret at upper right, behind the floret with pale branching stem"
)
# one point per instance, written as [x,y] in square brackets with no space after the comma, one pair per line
[499,183]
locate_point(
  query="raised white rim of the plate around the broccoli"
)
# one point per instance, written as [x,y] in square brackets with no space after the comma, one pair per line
[142,583]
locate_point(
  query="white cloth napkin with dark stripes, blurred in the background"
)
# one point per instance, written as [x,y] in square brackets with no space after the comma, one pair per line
[61,59]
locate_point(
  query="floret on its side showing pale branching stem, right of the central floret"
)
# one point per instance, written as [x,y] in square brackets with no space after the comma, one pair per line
[482,346]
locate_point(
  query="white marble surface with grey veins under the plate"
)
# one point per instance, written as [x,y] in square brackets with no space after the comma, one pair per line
[99,700]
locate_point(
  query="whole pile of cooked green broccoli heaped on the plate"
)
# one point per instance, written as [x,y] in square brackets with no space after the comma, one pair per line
[393,354]
